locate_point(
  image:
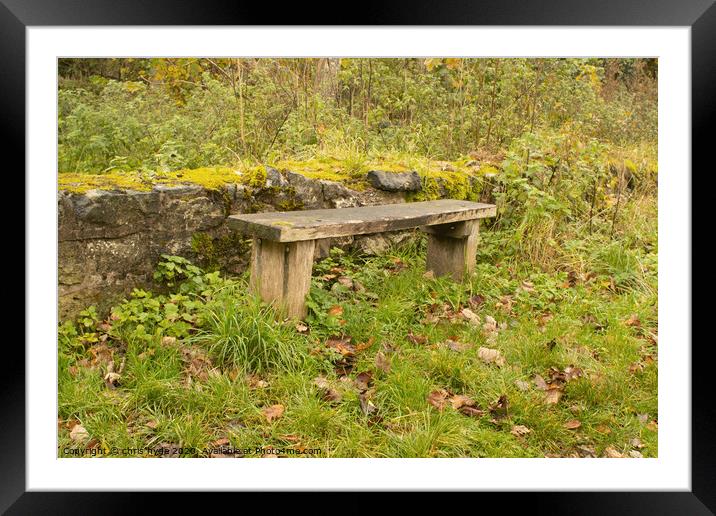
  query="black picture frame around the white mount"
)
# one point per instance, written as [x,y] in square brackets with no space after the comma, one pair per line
[17,15]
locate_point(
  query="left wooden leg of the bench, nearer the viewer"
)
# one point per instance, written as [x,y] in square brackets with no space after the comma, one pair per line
[281,274]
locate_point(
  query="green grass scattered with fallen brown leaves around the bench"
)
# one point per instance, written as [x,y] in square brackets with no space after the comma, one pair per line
[188,389]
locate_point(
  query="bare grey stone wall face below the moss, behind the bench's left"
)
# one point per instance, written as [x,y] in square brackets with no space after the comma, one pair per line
[110,241]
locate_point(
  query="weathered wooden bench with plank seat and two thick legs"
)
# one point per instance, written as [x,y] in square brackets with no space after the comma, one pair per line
[284,242]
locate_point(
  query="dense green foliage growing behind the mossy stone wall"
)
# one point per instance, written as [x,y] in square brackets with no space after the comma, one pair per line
[168,114]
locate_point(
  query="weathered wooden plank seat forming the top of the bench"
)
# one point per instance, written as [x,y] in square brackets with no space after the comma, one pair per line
[314,224]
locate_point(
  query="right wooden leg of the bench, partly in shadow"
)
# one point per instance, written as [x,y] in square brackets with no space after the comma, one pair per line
[452,248]
